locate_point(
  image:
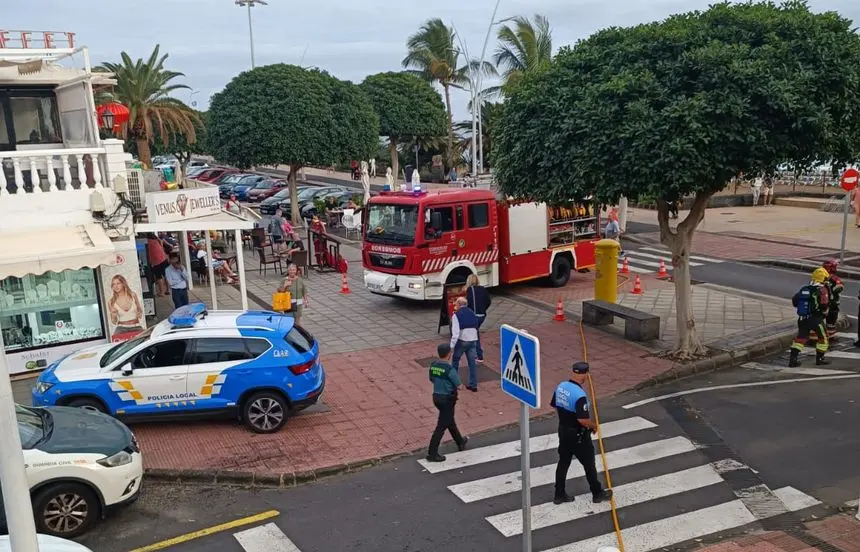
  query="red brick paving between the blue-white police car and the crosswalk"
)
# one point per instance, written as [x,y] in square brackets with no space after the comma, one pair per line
[379,403]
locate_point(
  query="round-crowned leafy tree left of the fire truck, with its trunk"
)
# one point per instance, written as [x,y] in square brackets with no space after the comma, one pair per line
[284,114]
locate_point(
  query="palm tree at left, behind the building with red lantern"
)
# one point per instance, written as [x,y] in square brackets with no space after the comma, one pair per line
[144,88]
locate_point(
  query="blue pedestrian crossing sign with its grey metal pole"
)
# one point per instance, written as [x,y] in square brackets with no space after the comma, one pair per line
[520,378]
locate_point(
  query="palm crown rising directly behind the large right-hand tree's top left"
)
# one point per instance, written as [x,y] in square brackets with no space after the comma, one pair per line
[524,48]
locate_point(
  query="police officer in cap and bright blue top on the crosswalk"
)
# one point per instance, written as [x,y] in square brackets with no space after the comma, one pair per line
[575,427]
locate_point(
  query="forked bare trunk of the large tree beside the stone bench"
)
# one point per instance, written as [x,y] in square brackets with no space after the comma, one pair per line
[680,241]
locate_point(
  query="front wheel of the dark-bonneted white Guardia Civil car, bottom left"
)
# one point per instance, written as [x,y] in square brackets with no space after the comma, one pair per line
[65,510]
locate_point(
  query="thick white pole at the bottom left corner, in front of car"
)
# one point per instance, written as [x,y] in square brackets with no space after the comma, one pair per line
[13,477]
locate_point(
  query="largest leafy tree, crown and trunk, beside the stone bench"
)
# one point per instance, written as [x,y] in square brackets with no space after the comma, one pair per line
[679,107]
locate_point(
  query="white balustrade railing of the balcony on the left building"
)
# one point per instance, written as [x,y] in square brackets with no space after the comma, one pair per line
[51,170]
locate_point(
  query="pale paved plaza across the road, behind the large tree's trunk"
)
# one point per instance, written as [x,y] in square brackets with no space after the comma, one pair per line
[747,233]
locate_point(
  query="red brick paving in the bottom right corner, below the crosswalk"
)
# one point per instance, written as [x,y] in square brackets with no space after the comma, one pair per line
[839,531]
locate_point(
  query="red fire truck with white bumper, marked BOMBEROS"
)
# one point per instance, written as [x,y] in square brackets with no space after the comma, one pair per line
[417,242]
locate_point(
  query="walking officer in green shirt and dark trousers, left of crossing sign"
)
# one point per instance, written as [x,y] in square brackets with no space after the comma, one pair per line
[445,381]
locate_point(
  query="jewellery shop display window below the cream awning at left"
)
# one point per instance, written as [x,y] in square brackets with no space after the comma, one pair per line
[38,311]
